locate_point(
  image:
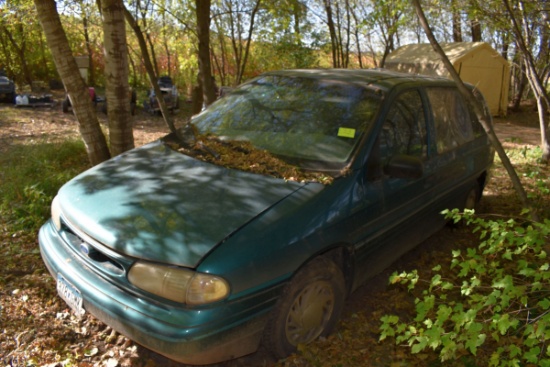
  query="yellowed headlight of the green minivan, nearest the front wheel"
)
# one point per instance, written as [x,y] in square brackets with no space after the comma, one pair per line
[178,284]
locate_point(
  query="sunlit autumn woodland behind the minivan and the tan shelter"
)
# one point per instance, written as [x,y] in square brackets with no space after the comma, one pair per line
[248,37]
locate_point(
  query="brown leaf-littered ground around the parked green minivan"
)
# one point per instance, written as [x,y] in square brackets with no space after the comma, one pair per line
[37,328]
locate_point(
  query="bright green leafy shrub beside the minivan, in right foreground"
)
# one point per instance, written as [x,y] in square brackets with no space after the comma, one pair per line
[496,296]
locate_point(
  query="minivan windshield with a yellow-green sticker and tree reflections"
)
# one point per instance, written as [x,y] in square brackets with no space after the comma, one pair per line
[313,123]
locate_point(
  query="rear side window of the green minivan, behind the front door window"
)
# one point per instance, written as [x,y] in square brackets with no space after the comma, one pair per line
[453,124]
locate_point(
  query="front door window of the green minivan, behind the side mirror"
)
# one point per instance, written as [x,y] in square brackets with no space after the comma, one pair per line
[404,129]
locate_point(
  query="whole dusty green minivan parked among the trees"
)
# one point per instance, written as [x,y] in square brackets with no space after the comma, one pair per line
[202,262]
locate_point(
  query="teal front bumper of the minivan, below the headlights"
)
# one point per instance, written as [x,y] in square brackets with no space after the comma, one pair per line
[197,336]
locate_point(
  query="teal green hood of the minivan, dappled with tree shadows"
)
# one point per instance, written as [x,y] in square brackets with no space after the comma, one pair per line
[156,204]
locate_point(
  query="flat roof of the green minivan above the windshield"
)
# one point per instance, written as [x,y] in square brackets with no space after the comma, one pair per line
[378,78]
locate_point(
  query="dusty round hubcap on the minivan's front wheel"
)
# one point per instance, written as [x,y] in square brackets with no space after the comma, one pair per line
[310,313]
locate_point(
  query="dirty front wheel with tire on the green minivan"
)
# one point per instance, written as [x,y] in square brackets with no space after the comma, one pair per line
[309,307]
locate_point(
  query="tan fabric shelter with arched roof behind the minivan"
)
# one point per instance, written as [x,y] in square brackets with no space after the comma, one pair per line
[476,62]
